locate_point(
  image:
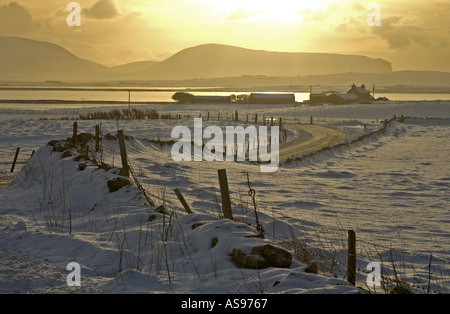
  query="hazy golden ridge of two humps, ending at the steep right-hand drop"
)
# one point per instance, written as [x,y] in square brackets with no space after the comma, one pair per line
[27,59]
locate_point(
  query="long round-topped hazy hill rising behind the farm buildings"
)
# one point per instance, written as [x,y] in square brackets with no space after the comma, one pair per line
[213,60]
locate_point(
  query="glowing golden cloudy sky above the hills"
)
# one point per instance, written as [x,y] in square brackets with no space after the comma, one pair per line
[413,35]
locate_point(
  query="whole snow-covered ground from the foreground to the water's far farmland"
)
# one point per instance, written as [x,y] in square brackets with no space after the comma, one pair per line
[392,189]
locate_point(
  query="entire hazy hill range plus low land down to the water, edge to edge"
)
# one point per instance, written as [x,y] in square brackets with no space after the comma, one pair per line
[209,65]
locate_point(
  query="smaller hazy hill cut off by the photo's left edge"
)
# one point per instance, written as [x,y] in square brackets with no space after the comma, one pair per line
[25,59]
